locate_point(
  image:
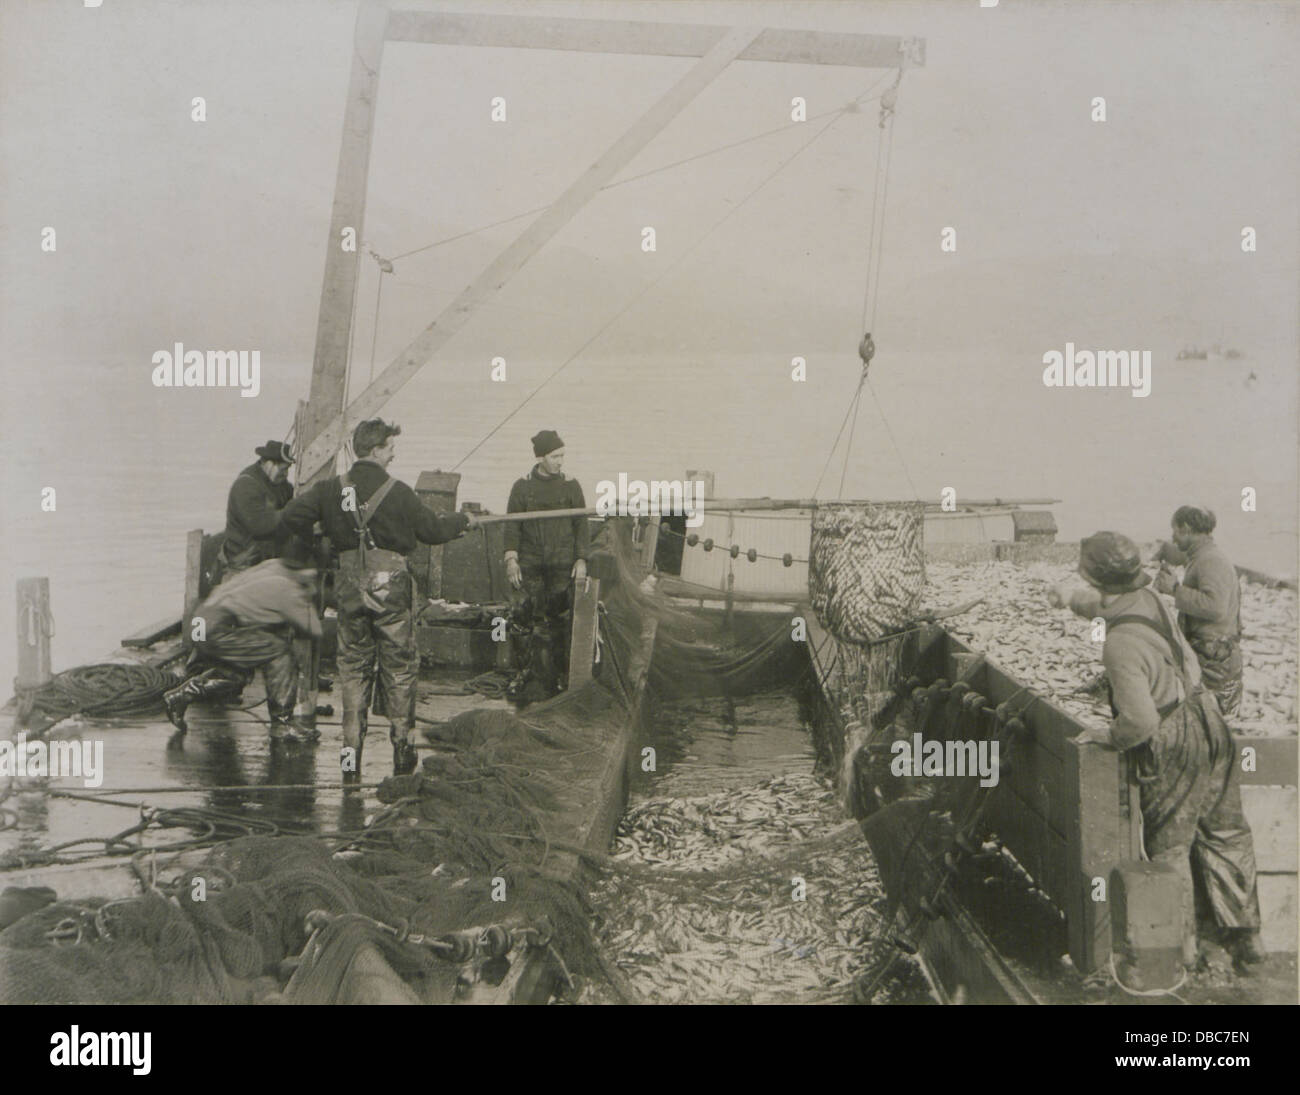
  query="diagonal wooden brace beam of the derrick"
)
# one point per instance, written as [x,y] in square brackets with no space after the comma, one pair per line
[324,445]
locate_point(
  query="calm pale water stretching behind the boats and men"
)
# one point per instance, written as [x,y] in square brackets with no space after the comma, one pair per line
[135,466]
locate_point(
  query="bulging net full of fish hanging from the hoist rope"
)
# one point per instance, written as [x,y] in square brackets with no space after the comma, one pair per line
[868,568]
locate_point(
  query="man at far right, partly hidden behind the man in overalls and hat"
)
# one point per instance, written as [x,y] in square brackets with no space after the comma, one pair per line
[1208,603]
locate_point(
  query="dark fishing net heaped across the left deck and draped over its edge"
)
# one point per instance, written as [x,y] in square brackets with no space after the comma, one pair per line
[470,863]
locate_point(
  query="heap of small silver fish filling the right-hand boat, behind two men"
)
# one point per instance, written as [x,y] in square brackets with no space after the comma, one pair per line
[1052,651]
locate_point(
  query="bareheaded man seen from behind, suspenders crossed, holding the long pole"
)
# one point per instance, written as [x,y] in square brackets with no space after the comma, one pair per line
[375,522]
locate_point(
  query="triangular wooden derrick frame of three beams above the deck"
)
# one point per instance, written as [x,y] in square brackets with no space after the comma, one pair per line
[326,423]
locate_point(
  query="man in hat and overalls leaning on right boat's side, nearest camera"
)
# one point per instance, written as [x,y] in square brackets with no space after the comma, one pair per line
[1177,739]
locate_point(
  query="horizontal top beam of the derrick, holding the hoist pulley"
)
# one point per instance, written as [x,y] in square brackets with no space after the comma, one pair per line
[800,47]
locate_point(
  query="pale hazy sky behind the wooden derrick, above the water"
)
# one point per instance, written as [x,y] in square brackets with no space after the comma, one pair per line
[215,232]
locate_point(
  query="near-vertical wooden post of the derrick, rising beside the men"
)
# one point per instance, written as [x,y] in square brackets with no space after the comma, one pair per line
[335,322]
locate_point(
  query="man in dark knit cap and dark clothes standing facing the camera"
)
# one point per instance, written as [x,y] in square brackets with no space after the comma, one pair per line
[544,559]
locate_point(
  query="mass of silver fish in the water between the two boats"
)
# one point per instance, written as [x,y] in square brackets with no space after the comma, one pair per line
[744,925]
